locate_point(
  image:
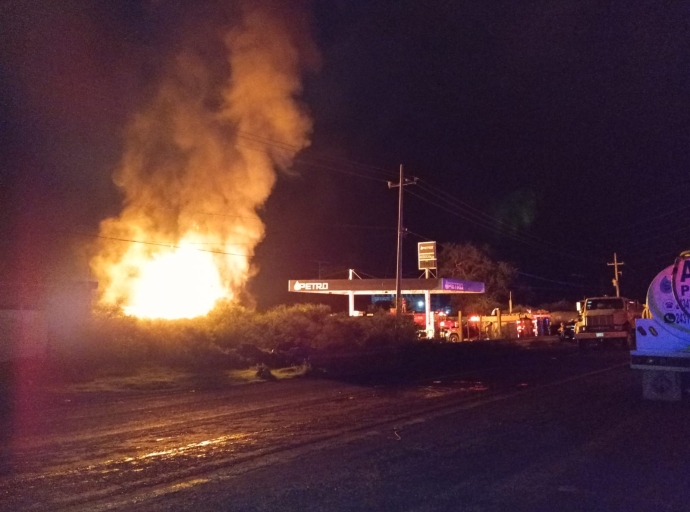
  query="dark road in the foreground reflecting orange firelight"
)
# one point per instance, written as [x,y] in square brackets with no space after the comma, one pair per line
[547,429]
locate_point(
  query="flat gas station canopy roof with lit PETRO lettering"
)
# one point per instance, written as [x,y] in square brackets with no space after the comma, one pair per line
[385,286]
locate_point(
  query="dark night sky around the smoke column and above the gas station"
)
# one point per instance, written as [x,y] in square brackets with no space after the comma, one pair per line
[561,127]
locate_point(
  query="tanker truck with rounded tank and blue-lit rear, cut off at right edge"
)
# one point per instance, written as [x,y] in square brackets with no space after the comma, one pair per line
[662,337]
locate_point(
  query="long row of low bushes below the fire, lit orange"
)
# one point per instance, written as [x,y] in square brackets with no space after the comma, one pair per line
[230,336]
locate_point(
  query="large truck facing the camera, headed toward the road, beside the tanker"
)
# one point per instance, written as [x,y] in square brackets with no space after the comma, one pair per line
[606,320]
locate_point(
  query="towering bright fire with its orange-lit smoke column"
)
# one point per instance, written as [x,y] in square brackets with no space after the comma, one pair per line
[198,163]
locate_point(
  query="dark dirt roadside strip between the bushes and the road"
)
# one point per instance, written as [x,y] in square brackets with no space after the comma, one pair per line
[387,364]
